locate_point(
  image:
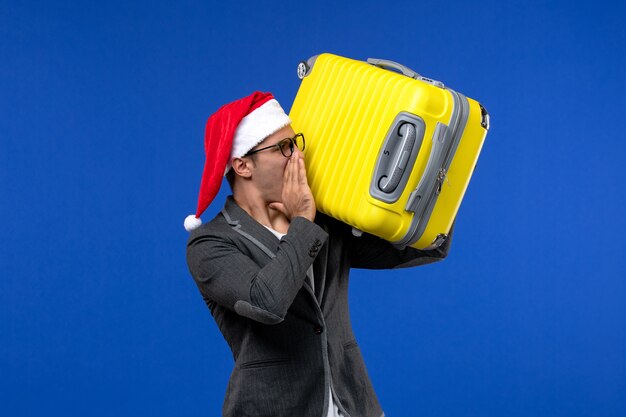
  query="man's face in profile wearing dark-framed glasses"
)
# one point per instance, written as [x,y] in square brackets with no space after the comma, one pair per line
[269,166]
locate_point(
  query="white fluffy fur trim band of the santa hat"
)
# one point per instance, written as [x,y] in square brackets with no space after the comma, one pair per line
[258,125]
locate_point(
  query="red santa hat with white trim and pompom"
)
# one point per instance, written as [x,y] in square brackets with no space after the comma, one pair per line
[230,133]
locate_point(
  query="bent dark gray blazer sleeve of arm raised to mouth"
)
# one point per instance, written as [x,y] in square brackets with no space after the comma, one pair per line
[230,278]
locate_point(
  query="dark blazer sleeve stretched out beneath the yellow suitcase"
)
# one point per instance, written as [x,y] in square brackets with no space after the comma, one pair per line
[371,252]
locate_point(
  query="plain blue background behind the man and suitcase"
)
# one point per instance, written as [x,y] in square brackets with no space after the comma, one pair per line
[102,112]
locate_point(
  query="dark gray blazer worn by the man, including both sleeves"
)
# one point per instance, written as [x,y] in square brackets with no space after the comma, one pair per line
[287,340]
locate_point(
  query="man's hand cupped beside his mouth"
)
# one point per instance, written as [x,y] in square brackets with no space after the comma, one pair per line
[297,196]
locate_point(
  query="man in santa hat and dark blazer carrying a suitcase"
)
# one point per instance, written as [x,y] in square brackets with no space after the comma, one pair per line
[274,273]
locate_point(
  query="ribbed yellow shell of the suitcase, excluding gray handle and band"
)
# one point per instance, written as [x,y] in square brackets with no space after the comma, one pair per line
[345,108]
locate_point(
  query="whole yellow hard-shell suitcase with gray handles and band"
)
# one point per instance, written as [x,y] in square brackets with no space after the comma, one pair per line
[389,153]
